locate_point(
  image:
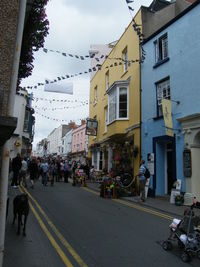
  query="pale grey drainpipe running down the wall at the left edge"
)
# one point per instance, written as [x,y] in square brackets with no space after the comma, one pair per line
[6,148]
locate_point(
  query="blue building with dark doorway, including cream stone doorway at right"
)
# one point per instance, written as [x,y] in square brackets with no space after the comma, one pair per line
[171,70]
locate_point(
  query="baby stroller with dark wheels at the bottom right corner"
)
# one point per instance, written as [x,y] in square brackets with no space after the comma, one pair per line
[186,233]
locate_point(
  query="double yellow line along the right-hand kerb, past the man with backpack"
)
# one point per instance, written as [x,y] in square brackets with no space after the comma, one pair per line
[135,206]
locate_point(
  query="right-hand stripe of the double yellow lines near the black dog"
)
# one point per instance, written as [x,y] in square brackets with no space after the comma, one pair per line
[58,234]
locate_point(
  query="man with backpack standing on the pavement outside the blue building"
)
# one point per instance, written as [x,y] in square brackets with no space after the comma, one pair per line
[143,175]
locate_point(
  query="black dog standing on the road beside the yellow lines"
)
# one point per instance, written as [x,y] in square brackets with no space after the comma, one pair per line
[20,208]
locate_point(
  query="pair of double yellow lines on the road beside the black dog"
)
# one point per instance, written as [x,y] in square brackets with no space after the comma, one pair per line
[63,241]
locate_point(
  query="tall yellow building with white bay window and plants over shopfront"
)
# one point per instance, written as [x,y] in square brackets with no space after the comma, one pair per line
[115,105]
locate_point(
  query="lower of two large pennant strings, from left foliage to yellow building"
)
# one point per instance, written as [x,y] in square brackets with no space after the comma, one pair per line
[93,69]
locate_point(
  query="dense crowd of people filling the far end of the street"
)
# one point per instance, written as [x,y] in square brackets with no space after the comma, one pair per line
[49,169]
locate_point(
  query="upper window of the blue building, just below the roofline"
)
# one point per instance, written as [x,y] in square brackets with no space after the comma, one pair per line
[161,48]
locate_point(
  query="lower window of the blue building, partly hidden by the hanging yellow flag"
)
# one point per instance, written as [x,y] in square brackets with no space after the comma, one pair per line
[163,91]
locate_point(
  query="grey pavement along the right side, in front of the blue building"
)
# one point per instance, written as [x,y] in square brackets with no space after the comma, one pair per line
[160,203]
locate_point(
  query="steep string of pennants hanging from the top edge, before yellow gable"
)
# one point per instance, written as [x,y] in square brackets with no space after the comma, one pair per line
[137,29]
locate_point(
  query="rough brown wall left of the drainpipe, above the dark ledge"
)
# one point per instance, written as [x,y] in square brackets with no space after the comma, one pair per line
[8,24]
